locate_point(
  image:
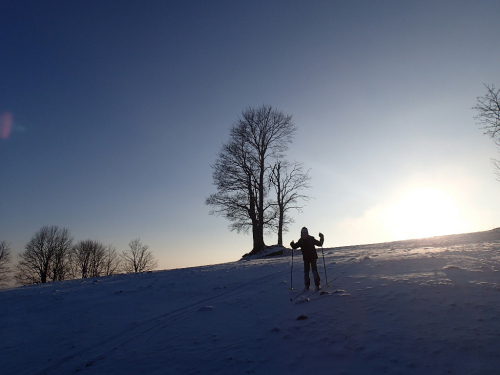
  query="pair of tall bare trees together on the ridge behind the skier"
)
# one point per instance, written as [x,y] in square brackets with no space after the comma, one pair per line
[256,186]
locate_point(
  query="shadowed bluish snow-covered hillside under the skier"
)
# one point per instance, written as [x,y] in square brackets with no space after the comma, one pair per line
[412,307]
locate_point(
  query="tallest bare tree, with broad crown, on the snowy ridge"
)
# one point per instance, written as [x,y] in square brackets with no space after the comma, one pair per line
[242,170]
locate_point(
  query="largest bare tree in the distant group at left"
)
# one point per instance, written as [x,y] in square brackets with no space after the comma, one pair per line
[46,257]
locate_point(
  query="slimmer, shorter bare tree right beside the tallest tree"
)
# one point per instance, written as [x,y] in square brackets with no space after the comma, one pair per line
[288,179]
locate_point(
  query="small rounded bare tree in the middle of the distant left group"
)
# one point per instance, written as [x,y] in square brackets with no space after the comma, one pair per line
[88,259]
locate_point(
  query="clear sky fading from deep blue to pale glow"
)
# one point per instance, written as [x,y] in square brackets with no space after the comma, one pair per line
[113,111]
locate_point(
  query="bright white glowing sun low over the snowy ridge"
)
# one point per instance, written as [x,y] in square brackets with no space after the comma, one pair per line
[422,212]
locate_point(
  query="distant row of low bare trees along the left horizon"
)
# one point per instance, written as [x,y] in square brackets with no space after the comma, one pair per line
[50,255]
